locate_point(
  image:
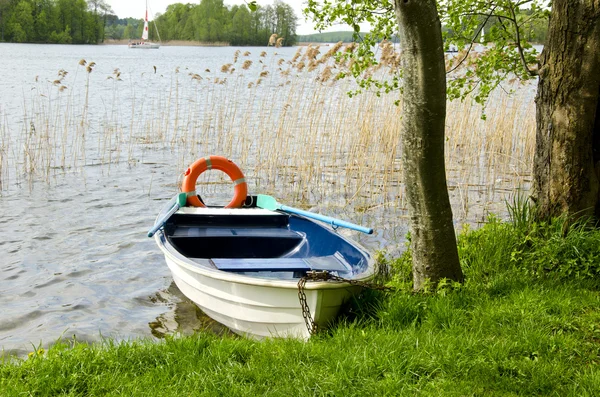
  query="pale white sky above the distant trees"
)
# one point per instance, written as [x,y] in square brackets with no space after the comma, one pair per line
[136,9]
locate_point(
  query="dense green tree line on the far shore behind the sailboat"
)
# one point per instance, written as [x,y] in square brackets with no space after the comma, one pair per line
[93,21]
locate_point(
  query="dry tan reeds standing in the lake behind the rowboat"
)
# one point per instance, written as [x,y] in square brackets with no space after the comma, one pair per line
[288,122]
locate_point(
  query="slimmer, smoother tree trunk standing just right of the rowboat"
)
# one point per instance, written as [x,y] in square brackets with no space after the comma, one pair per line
[433,239]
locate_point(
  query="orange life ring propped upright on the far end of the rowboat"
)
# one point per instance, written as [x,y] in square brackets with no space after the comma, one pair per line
[215,163]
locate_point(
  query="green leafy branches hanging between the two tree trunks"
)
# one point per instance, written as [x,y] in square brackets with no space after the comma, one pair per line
[500,24]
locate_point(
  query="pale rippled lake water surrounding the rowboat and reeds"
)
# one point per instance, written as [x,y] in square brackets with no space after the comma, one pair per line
[88,159]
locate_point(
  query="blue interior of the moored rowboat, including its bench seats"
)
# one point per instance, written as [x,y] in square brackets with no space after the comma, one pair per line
[249,243]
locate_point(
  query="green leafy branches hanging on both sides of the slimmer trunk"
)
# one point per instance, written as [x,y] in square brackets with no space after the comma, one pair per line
[476,69]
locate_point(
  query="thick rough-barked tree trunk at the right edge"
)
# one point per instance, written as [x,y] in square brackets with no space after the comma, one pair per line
[567,157]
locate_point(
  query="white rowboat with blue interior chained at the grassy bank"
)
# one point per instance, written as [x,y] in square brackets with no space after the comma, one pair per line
[262,269]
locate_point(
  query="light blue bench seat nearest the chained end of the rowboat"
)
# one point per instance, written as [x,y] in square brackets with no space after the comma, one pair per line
[331,263]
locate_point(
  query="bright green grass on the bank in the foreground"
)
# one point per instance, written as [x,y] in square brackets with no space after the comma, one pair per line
[513,328]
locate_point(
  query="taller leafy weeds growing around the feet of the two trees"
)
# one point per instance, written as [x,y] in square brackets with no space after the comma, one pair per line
[523,247]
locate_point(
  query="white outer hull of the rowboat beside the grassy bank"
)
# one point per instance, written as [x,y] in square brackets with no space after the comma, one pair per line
[258,308]
